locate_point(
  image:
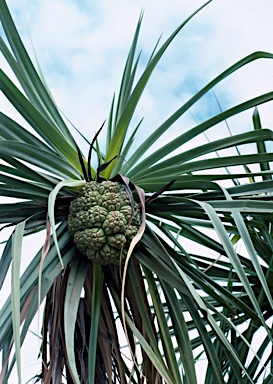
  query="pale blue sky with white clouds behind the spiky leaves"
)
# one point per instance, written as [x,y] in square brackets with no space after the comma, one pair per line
[81,46]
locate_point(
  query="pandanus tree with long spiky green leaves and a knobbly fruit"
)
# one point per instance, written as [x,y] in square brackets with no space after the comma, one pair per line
[129,234]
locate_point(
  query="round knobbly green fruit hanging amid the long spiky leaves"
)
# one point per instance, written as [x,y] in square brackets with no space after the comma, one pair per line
[99,221]
